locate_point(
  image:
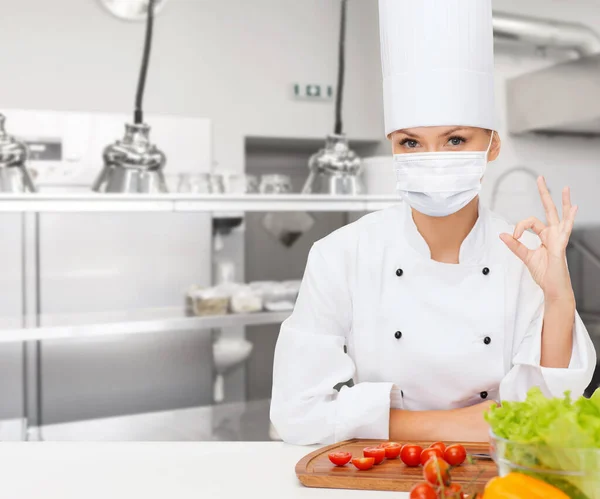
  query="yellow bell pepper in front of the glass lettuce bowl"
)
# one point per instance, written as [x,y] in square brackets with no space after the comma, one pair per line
[519,486]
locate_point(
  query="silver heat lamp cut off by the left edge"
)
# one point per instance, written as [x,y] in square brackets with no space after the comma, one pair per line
[14,176]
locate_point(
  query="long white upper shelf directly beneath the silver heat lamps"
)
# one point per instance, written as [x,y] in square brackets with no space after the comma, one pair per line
[94,202]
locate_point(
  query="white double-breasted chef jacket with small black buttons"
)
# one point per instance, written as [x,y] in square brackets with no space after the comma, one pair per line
[379,325]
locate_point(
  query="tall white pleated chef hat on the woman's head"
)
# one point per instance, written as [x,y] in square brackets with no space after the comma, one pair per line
[438,63]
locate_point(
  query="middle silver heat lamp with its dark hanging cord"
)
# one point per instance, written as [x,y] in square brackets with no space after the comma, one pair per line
[134,165]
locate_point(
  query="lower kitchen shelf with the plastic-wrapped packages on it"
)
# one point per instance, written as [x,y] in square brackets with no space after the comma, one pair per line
[57,327]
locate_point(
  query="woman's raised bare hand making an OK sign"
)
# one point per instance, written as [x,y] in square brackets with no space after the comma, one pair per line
[547,264]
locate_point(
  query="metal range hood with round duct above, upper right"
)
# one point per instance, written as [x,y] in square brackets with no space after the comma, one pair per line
[561,99]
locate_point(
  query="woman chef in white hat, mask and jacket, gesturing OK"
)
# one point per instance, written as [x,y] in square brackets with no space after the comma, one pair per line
[413,320]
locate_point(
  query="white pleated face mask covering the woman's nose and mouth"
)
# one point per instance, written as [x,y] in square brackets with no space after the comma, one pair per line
[439,184]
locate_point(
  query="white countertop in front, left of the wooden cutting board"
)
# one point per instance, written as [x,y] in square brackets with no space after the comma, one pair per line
[193,470]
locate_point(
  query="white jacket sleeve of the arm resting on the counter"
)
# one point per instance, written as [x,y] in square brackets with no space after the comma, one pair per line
[311,365]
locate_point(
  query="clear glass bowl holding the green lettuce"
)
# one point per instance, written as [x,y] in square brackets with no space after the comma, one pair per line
[574,471]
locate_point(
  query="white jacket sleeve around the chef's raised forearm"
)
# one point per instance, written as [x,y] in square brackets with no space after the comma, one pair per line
[526,371]
